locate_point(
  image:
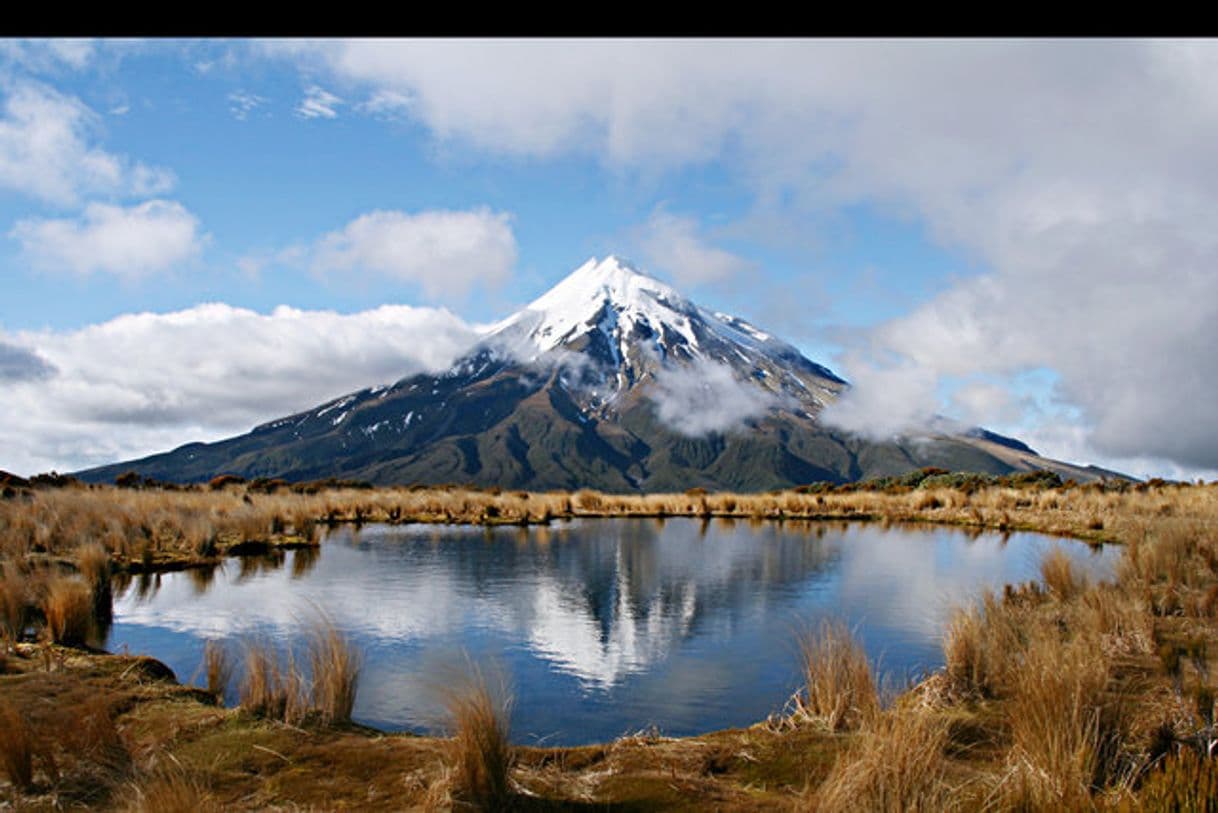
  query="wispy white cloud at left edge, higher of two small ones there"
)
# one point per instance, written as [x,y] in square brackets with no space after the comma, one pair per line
[47,151]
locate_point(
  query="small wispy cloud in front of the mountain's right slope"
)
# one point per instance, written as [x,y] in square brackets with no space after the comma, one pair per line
[707,398]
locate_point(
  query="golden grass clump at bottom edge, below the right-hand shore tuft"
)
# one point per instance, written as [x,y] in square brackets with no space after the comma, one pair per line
[896,764]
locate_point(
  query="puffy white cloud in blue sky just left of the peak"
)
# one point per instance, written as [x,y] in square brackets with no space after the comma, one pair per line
[445,253]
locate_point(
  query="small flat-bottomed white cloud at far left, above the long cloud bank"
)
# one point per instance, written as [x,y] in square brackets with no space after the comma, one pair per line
[127,242]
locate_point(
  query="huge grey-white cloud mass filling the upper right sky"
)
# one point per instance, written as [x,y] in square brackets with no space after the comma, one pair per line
[1080,175]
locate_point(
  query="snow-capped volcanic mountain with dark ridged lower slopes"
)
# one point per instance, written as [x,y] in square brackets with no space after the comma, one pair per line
[611,381]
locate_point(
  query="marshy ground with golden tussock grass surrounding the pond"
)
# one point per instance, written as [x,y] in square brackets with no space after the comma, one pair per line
[1058,695]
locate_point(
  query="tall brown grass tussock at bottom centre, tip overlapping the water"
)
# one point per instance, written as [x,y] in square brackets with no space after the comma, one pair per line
[482,755]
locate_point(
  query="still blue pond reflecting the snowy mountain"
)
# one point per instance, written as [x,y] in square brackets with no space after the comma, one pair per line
[602,627]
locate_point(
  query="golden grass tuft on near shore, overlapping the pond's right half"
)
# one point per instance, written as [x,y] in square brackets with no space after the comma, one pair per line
[840,692]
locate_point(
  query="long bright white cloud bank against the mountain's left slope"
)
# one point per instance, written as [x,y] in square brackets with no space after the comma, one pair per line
[149,382]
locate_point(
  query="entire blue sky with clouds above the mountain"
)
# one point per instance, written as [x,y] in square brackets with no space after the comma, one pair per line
[198,237]
